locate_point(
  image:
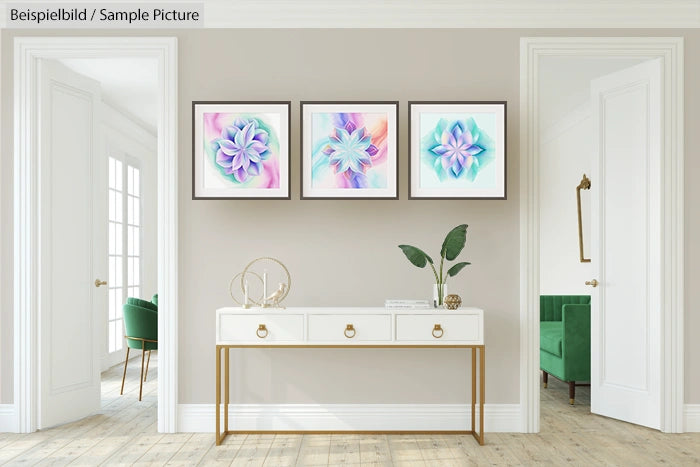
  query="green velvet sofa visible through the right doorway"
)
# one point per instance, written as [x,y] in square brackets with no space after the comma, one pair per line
[565,339]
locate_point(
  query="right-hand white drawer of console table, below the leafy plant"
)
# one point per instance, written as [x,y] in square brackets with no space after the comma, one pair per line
[439,328]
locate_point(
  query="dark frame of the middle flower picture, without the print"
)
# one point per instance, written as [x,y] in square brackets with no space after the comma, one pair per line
[302,155]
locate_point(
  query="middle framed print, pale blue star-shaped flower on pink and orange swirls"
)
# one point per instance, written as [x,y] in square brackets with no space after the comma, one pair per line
[349,150]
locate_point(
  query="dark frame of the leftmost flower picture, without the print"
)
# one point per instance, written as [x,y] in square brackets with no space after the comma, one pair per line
[195,142]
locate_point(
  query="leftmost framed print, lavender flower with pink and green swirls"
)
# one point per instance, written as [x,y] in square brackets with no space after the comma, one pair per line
[240,150]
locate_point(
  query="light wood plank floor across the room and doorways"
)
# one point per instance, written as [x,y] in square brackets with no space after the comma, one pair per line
[125,433]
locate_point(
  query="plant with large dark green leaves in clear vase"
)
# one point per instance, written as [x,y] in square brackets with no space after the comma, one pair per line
[451,248]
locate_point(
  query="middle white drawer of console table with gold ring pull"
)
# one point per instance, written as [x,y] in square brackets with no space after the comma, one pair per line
[347,329]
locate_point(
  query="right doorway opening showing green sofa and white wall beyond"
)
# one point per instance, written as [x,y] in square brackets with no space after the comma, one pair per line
[567,144]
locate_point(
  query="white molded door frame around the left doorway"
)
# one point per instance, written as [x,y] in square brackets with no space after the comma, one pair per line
[26,267]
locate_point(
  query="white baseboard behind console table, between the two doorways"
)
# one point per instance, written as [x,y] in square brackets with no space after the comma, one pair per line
[348,417]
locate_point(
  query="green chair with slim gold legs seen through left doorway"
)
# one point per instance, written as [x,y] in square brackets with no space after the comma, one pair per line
[141,326]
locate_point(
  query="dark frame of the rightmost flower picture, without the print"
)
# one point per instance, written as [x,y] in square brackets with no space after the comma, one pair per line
[411,169]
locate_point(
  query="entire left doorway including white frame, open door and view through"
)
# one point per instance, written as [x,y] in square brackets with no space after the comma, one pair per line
[141,258]
